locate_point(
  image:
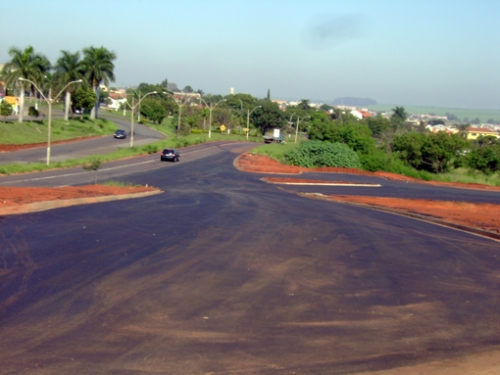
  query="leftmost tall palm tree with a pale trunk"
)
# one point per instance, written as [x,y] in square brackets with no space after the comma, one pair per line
[25,64]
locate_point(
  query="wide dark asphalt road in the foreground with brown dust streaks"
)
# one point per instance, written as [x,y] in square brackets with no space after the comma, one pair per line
[225,274]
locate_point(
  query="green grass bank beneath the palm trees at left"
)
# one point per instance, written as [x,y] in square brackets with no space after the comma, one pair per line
[35,131]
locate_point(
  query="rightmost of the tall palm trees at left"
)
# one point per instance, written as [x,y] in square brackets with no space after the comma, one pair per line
[98,65]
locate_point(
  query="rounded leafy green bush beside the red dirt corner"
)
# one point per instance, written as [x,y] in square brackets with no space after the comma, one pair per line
[322,154]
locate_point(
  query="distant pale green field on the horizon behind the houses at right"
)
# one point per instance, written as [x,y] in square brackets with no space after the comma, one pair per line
[483,114]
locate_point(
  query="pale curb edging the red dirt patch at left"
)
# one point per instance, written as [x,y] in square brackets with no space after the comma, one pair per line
[49,205]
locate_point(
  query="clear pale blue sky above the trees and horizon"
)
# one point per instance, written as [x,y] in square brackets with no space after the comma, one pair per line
[439,53]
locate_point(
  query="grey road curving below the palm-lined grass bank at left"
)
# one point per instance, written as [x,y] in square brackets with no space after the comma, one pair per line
[73,150]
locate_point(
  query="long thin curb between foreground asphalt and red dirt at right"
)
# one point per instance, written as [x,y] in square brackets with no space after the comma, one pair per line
[464,228]
